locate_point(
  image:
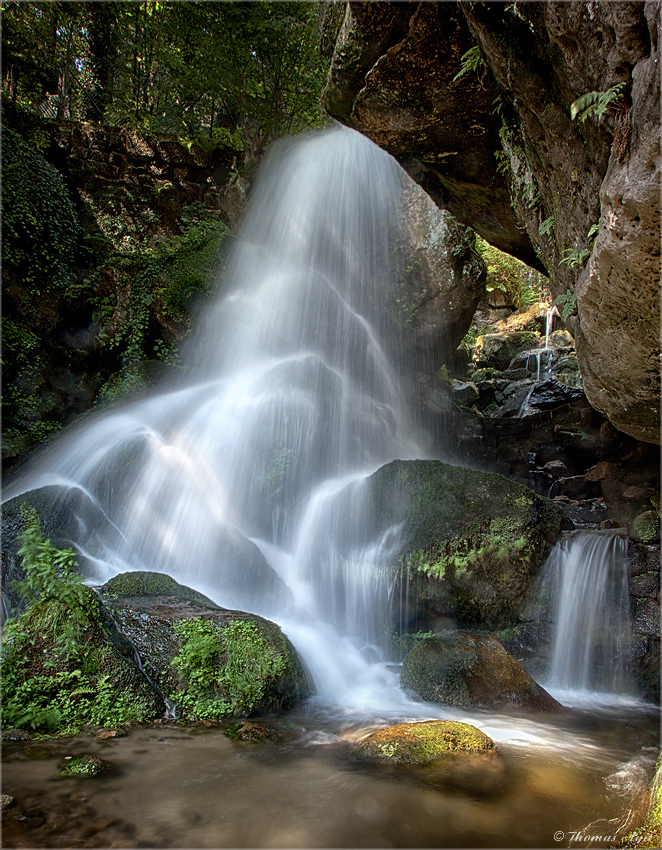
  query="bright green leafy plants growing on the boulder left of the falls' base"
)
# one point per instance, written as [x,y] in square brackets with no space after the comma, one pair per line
[225,668]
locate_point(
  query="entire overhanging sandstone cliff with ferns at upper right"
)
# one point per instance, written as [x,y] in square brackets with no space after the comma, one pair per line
[498,147]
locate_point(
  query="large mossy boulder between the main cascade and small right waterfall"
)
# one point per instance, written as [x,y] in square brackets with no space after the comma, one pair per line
[471,541]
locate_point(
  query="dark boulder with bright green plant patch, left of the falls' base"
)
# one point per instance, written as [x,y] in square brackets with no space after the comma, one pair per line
[210,661]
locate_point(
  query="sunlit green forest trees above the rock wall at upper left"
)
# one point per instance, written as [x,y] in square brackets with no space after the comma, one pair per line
[214,72]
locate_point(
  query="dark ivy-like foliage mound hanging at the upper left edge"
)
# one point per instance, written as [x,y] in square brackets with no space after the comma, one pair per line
[39,222]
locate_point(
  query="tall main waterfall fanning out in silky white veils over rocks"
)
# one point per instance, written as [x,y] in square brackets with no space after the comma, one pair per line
[246,481]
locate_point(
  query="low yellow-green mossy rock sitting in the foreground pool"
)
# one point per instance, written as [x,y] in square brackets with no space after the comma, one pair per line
[422,743]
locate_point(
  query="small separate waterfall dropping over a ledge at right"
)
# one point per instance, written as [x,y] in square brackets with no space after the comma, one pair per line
[585,583]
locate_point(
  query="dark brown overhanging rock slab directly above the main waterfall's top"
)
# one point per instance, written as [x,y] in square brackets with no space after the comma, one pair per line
[391,77]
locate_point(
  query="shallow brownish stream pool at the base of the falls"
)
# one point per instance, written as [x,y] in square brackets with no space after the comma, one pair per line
[570,779]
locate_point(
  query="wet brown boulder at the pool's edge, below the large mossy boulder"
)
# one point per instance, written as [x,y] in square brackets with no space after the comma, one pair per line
[466,670]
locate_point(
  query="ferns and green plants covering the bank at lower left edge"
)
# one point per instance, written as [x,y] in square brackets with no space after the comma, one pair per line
[65,689]
